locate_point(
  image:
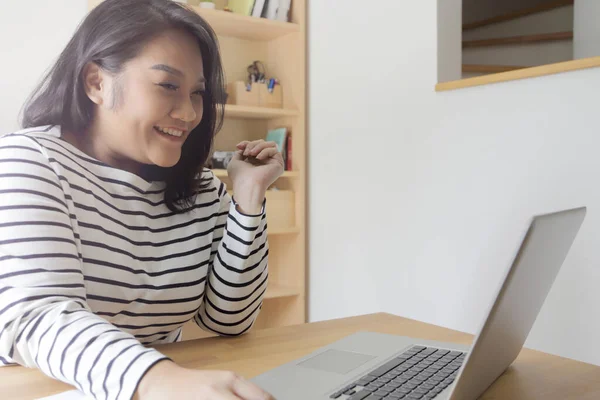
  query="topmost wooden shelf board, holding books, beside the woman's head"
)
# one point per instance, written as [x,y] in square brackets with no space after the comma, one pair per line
[251,28]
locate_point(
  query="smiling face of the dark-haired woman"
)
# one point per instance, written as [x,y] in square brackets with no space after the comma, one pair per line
[153,105]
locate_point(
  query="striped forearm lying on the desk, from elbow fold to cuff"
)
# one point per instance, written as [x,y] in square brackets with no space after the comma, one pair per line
[66,341]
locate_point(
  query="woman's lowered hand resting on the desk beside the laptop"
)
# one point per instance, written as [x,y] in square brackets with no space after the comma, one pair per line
[167,380]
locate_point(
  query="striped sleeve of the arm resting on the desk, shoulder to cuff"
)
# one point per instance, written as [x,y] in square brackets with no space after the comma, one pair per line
[45,321]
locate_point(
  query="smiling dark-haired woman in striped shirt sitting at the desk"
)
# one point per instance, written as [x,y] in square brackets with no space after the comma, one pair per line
[112,235]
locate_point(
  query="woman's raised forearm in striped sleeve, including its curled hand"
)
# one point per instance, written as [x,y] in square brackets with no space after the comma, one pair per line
[237,280]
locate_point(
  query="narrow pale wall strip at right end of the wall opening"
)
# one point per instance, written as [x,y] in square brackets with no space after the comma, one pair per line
[587,29]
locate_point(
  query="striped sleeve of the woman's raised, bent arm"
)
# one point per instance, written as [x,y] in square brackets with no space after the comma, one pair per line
[238,274]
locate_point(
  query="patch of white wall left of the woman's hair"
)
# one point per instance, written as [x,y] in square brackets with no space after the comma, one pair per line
[32,35]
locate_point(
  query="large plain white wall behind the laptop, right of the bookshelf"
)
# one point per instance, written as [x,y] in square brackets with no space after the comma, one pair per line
[418,199]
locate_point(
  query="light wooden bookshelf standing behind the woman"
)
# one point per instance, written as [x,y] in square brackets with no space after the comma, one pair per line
[281,47]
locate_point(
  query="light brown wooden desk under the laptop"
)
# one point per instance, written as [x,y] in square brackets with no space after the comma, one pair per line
[533,376]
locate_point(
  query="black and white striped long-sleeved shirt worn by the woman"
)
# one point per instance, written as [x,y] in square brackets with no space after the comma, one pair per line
[93,265]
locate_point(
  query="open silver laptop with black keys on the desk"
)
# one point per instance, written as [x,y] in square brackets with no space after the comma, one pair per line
[371,366]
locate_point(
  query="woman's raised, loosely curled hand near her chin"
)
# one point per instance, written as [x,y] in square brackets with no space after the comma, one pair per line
[254,167]
